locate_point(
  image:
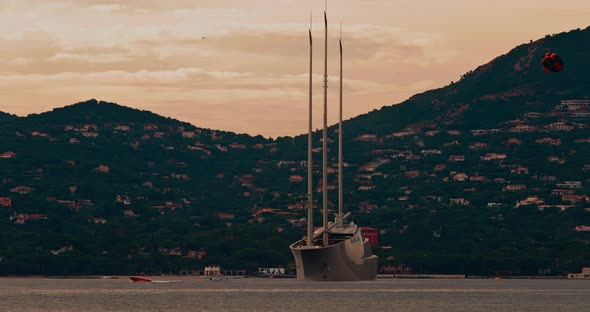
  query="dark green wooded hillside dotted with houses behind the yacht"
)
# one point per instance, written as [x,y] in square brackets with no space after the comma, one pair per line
[488,175]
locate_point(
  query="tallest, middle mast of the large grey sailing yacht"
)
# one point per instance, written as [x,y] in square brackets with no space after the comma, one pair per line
[325,137]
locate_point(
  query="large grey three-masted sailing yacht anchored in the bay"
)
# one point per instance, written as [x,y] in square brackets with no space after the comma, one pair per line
[337,251]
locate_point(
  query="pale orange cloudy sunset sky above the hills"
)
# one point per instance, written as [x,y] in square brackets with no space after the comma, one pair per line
[241,65]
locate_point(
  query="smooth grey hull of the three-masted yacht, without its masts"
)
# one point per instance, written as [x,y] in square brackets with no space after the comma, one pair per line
[349,260]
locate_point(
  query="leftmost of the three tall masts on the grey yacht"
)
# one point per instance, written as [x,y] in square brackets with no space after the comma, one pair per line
[309,153]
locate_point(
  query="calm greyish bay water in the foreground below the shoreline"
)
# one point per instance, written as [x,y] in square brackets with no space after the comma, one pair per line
[89,295]
